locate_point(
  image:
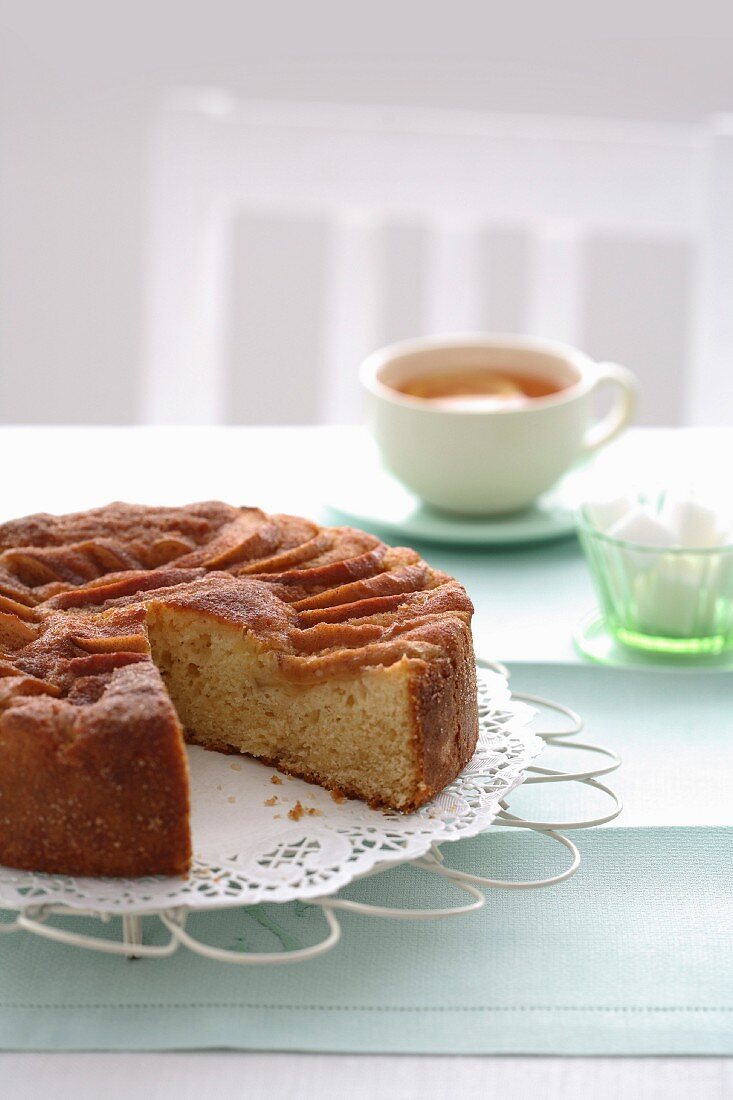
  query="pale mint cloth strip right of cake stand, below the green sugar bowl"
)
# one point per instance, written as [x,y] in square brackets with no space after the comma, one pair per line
[674,731]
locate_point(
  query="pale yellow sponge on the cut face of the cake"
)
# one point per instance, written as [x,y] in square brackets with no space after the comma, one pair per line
[351,734]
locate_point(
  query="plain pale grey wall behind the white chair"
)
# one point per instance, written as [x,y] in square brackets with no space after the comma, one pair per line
[80,83]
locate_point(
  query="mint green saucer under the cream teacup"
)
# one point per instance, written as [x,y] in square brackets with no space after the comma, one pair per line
[368,497]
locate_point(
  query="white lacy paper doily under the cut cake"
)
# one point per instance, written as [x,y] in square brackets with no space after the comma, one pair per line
[248,852]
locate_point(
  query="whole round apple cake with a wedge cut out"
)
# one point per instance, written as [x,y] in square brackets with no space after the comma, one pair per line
[126,631]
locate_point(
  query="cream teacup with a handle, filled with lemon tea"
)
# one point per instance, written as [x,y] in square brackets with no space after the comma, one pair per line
[490,460]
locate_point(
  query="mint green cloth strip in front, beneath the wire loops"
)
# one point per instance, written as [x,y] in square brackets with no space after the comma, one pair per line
[631,956]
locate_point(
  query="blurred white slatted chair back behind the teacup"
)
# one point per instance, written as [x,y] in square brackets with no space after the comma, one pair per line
[289,241]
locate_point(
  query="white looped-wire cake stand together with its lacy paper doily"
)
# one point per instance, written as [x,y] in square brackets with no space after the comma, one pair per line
[261,839]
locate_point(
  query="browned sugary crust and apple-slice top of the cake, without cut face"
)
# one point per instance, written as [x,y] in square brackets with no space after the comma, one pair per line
[93,768]
